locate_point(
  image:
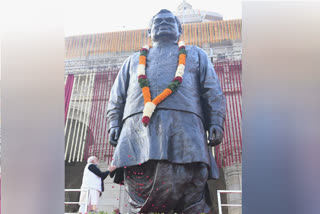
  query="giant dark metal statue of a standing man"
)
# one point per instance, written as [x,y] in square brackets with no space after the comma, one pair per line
[166,163]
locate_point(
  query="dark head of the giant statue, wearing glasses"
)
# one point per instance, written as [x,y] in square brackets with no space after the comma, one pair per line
[165,26]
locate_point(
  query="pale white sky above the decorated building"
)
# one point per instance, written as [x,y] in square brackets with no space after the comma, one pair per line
[99,16]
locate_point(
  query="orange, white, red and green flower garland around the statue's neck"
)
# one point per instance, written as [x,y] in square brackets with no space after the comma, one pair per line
[150,105]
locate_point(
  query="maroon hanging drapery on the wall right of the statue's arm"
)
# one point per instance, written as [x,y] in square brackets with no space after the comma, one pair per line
[229,152]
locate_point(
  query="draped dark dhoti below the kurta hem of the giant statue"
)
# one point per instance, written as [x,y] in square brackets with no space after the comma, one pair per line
[161,186]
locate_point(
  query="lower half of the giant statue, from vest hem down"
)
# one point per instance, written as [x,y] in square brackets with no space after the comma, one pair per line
[174,158]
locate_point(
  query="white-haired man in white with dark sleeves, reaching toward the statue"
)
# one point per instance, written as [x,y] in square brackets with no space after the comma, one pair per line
[93,182]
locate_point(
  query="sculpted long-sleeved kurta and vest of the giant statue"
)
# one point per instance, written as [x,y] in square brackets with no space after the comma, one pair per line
[176,131]
